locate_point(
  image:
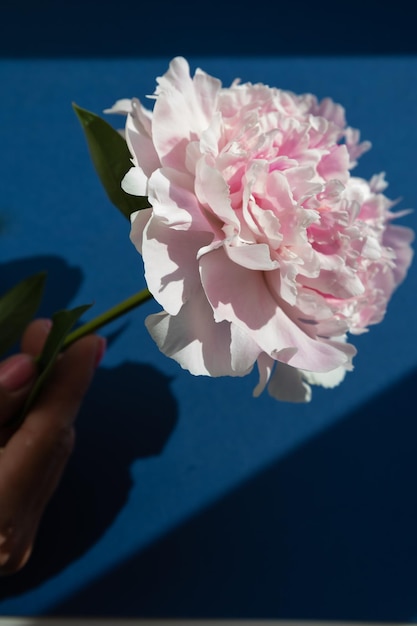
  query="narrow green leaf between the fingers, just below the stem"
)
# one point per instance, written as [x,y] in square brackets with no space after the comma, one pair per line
[62,323]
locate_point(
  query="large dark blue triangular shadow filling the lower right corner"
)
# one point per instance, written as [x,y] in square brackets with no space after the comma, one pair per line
[327,533]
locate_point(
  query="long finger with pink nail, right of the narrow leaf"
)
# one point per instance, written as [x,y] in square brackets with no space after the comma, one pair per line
[32,462]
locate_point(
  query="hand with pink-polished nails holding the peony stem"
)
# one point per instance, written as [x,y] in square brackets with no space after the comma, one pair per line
[33,457]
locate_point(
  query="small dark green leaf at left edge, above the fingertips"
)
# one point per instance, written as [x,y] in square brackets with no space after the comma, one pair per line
[17,308]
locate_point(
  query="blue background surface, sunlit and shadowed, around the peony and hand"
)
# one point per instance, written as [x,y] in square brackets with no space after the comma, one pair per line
[185,496]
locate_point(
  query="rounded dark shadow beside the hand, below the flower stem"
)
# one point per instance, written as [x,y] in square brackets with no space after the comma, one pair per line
[128,414]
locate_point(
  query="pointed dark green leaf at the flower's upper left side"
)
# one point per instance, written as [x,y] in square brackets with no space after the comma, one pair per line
[111,159]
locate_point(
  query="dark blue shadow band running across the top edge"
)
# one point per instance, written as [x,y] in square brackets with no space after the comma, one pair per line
[53,28]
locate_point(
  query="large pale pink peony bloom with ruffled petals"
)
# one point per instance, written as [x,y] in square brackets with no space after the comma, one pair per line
[260,245]
